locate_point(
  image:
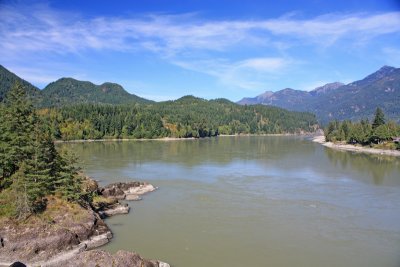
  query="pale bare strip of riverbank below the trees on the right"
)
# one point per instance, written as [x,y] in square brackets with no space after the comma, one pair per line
[355,148]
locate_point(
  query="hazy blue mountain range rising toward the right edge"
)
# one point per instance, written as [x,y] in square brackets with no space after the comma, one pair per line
[354,101]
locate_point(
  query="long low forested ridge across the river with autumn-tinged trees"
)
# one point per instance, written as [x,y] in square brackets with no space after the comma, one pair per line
[186,117]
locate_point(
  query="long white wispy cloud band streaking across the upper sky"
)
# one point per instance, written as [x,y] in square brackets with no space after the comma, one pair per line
[44,29]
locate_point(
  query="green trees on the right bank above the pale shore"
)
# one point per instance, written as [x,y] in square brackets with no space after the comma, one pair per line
[379,132]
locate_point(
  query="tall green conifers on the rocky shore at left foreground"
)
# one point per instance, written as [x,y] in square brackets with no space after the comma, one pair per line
[30,167]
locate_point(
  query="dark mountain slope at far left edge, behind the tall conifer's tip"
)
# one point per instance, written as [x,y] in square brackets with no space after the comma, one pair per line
[8,79]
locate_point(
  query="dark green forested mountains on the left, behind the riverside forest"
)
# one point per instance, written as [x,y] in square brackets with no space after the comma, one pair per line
[67,91]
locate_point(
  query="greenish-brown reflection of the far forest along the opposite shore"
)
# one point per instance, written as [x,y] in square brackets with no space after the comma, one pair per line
[221,150]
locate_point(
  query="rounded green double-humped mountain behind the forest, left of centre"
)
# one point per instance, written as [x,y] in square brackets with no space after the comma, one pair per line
[66,91]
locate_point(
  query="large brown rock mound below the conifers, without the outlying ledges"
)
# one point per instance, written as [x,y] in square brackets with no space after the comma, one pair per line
[64,227]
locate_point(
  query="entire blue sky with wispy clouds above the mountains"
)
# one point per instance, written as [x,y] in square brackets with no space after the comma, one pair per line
[162,49]
